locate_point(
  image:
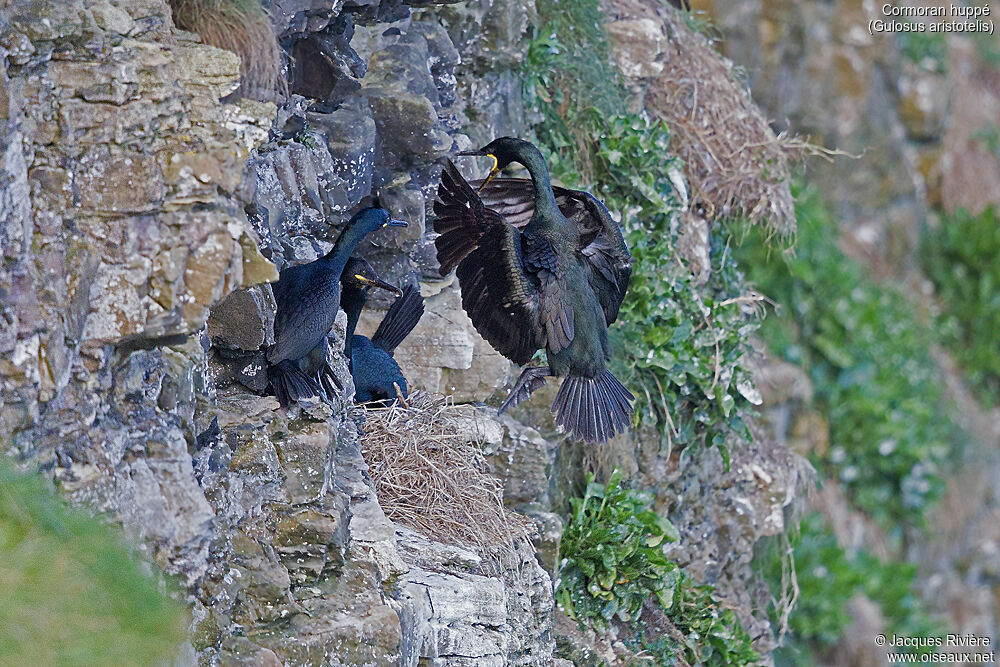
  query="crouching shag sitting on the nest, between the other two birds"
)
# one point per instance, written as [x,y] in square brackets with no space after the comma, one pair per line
[376,374]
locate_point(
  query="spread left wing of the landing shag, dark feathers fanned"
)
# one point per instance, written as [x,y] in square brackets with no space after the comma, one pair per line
[499,293]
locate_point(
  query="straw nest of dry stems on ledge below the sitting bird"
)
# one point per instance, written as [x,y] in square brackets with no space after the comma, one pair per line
[430,474]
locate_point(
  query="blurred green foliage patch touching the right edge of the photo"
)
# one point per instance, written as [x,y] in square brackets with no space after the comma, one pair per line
[960,257]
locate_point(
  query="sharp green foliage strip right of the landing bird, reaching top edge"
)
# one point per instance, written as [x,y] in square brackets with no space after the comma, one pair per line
[681,347]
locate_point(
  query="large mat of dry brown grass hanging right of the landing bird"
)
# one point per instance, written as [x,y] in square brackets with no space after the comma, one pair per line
[733,160]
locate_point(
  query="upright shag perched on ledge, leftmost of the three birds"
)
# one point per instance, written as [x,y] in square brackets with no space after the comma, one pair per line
[308,298]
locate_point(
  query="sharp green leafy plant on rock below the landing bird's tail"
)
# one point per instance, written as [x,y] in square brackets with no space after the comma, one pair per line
[614,568]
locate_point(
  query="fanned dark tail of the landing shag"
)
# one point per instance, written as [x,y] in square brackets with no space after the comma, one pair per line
[593,409]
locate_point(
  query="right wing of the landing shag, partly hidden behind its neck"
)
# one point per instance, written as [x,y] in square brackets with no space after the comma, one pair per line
[600,242]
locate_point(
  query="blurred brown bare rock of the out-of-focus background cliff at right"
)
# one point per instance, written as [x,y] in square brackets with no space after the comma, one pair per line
[909,116]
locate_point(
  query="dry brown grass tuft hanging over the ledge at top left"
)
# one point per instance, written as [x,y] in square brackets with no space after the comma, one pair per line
[243,27]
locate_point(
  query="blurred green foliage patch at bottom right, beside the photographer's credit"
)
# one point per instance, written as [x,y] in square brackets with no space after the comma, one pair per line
[829,577]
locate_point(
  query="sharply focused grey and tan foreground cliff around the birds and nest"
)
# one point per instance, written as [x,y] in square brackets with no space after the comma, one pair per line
[142,212]
